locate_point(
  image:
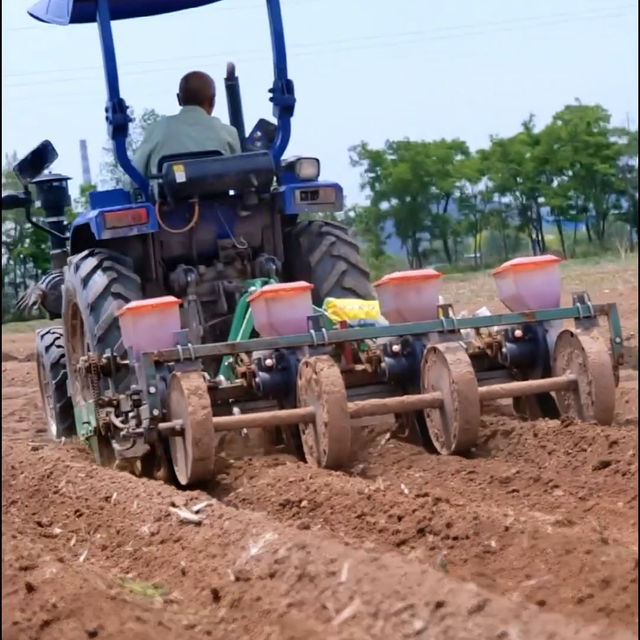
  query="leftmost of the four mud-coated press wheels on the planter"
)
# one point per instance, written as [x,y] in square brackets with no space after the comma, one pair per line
[193,451]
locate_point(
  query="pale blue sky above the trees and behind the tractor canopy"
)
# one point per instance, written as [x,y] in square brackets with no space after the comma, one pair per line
[363,70]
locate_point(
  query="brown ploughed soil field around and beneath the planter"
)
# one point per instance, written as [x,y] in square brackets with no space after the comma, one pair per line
[531,538]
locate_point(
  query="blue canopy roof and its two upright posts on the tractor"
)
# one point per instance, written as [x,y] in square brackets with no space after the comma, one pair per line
[102,12]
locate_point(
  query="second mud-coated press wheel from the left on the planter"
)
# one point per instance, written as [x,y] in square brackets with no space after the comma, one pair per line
[327,442]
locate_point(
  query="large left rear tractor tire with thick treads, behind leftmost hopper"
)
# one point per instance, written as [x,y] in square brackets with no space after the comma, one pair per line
[98,283]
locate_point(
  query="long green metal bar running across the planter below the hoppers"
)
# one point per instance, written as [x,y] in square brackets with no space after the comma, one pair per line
[579,312]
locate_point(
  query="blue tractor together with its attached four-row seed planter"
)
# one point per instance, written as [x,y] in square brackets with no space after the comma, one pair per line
[196,309]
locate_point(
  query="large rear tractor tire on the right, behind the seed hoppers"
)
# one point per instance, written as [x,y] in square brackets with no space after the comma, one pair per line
[324,254]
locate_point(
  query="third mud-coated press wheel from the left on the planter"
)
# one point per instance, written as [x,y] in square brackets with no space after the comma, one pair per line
[454,427]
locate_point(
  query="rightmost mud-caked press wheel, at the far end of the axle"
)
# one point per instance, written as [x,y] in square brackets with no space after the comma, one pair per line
[588,359]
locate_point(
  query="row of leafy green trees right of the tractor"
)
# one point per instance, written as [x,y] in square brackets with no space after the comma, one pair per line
[444,201]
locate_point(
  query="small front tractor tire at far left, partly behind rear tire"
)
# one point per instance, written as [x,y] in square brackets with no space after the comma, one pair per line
[52,380]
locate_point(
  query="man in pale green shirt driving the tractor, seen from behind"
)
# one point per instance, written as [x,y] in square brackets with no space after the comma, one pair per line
[193,128]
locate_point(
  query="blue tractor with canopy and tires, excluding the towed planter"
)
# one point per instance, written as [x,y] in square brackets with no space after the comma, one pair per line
[213,224]
